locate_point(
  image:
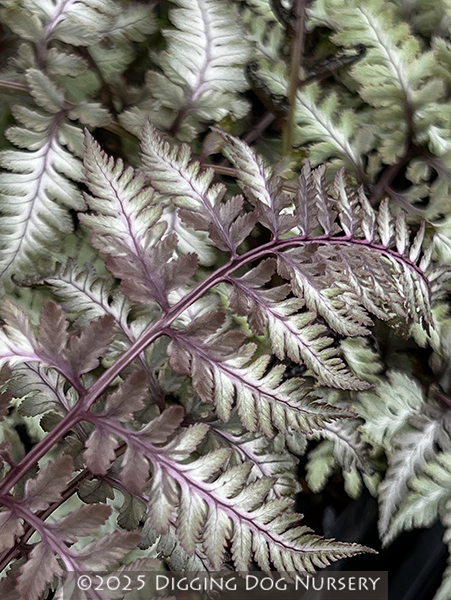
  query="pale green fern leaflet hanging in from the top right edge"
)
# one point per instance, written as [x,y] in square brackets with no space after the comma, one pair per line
[394,74]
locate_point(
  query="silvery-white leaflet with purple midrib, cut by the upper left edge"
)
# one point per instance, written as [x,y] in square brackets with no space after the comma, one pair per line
[37,189]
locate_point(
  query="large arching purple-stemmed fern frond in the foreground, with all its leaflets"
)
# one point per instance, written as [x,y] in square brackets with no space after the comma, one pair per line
[148,396]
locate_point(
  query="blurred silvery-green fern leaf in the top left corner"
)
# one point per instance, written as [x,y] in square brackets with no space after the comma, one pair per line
[105,27]
